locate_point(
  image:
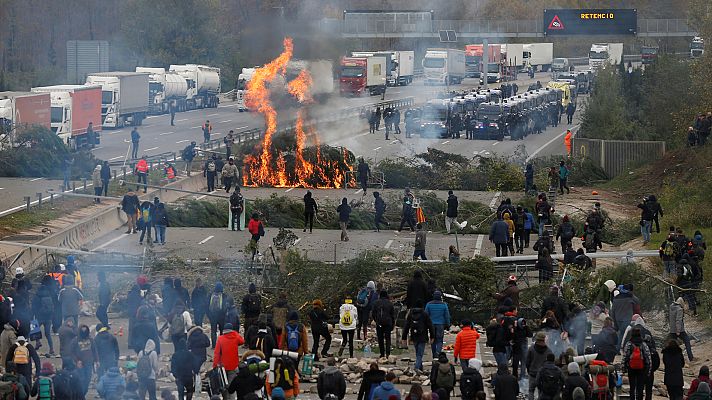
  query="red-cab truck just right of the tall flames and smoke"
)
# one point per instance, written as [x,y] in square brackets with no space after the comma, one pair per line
[359,75]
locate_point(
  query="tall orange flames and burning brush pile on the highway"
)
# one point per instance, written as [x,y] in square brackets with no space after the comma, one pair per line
[316,166]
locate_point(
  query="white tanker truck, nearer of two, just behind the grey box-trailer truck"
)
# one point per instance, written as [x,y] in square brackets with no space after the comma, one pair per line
[165,88]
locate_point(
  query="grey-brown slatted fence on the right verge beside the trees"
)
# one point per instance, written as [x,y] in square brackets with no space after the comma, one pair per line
[614,156]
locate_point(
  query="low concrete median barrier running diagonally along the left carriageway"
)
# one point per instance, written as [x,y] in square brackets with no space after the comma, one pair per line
[98,225]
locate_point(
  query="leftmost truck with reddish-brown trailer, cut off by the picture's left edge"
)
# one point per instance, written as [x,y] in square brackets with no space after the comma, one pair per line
[20,110]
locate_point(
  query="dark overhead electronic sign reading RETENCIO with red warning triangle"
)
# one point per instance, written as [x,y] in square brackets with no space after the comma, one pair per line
[583,21]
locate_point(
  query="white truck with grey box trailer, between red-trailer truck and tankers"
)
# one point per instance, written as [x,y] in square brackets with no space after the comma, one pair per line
[124,97]
